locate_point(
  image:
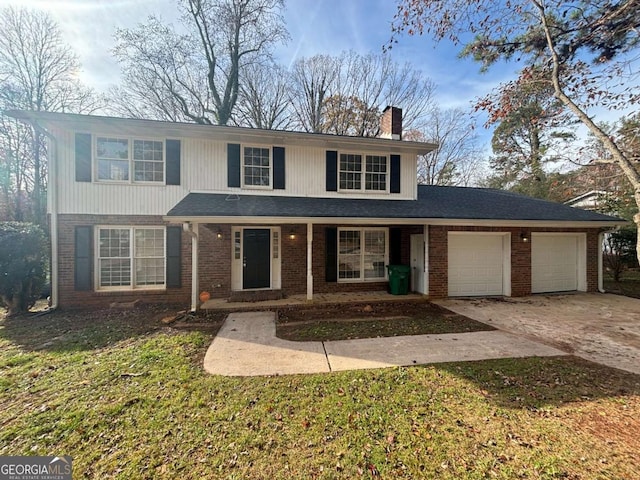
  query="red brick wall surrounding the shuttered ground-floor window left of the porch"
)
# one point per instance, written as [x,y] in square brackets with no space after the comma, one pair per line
[68,297]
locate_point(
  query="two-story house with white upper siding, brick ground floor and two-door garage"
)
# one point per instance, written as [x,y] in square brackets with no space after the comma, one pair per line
[161,211]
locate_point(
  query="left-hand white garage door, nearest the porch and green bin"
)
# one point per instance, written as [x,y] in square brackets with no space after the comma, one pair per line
[476,265]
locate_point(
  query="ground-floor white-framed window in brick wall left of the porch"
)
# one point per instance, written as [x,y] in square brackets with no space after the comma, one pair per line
[130,257]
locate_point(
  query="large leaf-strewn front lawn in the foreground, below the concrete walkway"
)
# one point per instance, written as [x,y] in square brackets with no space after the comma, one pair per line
[127,398]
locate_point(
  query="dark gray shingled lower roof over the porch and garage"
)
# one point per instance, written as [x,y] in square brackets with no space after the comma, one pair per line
[433,202]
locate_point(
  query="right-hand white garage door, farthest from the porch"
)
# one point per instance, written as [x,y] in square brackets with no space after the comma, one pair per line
[554,263]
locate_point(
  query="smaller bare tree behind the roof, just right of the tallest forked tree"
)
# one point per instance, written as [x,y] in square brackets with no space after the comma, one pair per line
[263,100]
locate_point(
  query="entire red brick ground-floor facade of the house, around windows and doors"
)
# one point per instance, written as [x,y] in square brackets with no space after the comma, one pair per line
[215,261]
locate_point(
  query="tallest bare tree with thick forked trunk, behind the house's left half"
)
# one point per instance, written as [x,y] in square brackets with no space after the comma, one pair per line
[195,76]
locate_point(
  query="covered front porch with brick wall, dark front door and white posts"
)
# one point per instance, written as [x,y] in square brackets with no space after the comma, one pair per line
[288,262]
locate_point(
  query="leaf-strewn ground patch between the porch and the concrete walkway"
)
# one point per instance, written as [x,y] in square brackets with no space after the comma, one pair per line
[385,319]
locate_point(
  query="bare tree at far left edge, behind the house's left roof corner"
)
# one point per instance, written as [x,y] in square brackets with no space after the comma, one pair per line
[37,72]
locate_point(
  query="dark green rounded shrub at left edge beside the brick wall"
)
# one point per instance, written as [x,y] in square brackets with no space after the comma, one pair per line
[23,261]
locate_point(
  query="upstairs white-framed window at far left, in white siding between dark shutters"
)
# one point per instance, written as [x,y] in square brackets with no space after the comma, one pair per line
[129,160]
